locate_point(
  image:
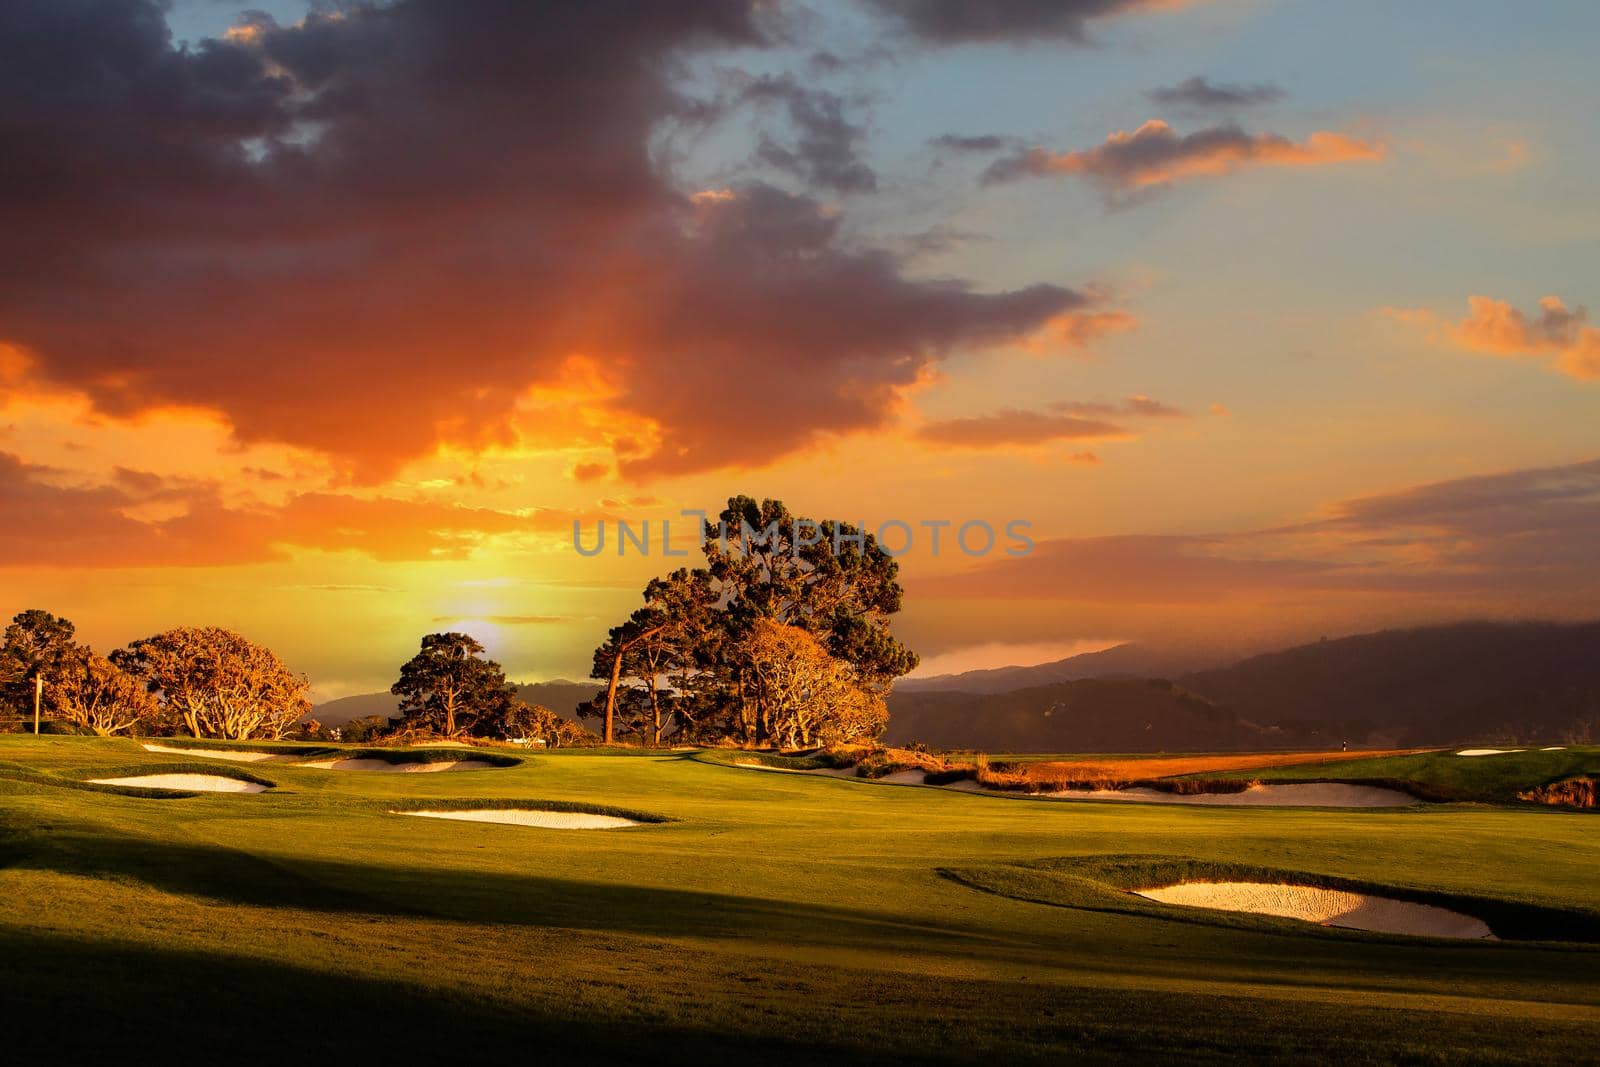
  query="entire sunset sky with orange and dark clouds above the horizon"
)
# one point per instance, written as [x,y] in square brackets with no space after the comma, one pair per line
[326,322]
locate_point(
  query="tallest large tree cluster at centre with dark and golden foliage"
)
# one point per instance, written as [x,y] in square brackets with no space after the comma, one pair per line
[716,652]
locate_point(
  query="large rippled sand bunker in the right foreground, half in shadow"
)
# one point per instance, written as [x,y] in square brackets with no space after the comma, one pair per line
[1327,908]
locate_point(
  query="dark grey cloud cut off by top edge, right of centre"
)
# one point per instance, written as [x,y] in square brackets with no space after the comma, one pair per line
[982,22]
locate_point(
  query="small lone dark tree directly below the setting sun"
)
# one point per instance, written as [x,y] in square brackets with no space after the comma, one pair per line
[450,689]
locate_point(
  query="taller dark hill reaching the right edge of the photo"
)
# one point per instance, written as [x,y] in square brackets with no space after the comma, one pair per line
[1519,682]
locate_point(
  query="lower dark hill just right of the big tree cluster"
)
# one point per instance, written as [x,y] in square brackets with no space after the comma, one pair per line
[1082,716]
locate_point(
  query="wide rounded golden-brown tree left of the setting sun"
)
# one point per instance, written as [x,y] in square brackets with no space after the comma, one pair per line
[218,684]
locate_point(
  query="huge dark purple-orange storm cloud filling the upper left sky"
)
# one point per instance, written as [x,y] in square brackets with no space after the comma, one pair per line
[374,231]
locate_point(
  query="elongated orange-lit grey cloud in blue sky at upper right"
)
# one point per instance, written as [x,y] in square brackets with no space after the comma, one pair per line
[1158,156]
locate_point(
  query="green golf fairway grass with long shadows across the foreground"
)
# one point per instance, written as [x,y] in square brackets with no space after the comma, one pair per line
[790,917]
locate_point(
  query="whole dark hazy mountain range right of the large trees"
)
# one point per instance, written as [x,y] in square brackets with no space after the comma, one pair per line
[1522,684]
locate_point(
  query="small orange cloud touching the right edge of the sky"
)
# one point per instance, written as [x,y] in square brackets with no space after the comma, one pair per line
[1559,334]
